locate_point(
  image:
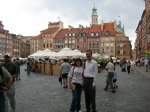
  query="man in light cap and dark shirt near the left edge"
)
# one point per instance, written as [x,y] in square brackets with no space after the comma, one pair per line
[12,69]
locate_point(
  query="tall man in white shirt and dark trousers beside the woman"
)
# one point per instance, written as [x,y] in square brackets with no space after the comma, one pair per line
[89,82]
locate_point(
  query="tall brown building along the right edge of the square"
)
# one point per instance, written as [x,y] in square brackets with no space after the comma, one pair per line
[142,42]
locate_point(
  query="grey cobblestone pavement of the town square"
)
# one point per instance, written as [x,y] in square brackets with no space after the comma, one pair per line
[42,93]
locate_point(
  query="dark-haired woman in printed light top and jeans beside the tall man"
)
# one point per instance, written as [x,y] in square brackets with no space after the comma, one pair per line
[75,82]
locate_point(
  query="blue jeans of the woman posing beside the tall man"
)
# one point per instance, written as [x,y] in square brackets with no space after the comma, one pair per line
[76,99]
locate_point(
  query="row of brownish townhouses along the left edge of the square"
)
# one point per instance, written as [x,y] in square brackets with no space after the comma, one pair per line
[16,45]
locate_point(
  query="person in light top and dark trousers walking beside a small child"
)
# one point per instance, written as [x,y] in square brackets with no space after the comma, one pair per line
[110,68]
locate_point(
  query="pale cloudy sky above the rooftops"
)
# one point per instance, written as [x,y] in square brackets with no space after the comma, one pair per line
[29,17]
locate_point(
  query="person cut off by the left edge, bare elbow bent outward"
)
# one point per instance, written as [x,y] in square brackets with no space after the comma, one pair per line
[5,83]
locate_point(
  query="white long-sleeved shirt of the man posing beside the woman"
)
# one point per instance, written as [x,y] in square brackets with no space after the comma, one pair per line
[91,70]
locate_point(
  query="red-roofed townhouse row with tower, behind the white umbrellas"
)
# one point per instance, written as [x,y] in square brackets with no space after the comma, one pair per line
[101,38]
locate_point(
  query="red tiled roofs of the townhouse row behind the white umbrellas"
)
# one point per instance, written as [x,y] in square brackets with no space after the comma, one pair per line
[107,27]
